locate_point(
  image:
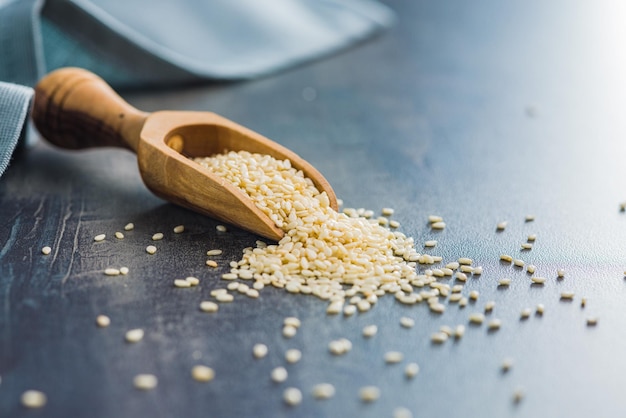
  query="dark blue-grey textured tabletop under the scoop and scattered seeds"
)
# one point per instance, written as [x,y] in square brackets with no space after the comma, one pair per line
[476,111]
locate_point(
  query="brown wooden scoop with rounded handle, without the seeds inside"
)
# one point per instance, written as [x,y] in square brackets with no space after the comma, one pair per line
[76,109]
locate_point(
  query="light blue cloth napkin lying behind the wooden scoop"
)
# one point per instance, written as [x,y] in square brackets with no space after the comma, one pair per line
[134,43]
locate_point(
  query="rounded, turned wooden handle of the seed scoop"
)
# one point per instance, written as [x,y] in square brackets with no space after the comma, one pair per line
[76,109]
